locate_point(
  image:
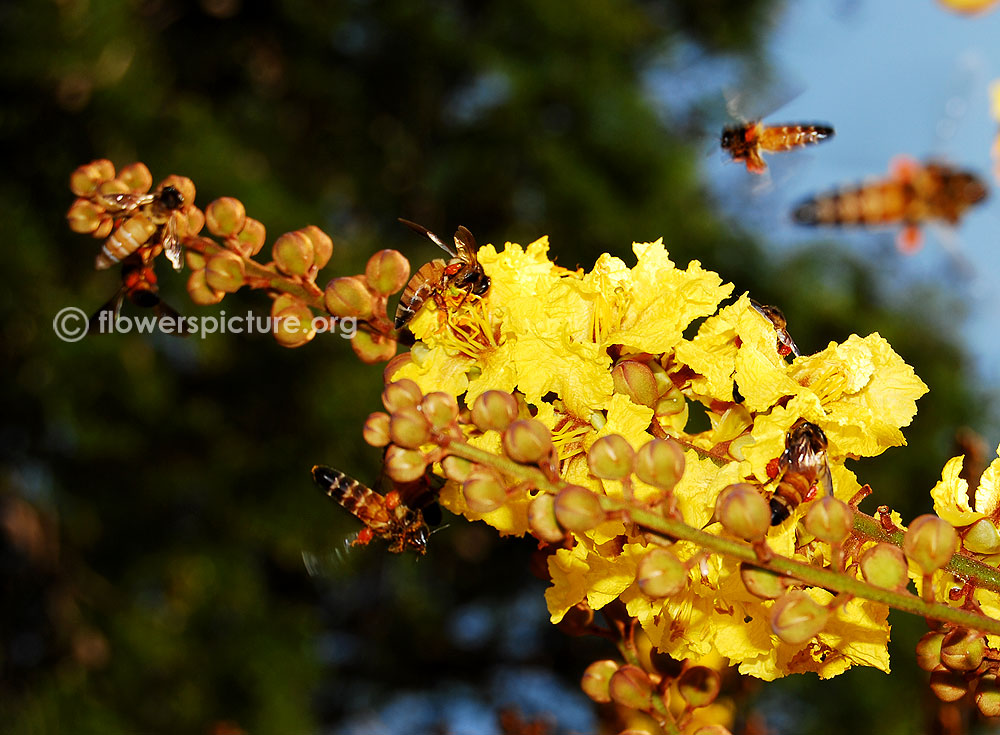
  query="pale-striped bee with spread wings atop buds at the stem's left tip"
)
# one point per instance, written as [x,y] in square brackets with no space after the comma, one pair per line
[143,216]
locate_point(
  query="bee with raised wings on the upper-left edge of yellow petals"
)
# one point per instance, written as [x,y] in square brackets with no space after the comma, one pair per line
[462,273]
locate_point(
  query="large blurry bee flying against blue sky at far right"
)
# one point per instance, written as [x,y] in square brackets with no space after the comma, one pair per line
[914,194]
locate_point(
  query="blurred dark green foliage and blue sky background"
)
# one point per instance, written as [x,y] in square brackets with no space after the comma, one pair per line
[155,492]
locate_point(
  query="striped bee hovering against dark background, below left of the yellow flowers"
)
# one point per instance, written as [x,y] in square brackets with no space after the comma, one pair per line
[385,516]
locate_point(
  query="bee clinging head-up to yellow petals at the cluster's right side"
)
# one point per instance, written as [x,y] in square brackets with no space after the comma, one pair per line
[801,467]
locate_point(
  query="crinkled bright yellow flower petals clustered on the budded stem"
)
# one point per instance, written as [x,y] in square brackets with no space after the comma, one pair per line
[554,336]
